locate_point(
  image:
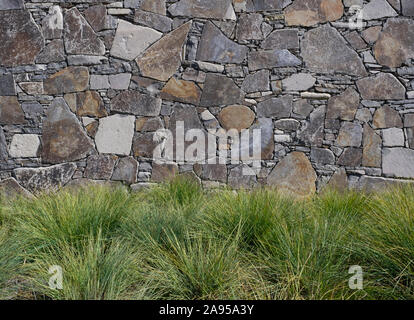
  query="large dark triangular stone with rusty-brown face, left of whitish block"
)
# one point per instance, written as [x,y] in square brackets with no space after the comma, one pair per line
[63,138]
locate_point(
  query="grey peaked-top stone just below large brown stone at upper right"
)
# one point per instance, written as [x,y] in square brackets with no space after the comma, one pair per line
[383,86]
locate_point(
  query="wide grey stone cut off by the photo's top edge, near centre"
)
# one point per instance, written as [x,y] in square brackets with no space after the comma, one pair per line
[215,9]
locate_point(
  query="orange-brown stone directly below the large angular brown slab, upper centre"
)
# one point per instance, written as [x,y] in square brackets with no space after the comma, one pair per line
[181,91]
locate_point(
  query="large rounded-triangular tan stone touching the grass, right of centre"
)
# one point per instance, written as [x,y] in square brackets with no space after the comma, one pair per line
[294,175]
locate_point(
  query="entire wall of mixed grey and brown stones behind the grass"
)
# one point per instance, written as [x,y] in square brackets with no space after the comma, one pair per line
[86,84]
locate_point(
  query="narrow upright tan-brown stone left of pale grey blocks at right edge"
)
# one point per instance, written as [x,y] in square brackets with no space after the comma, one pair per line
[372,144]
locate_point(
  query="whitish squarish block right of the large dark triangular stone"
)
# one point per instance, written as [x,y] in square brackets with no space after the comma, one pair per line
[115,134]
